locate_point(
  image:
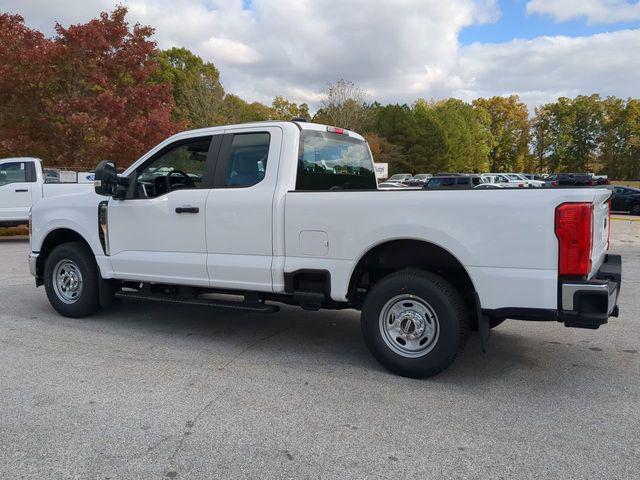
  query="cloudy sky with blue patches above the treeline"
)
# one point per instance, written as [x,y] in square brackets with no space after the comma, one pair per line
[398,50]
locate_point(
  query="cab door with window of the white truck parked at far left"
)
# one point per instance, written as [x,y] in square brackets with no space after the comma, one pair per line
[16,184]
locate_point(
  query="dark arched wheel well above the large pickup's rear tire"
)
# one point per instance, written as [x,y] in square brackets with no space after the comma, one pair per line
[396,255]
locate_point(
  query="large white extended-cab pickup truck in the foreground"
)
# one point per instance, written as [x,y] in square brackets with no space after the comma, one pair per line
[289,212]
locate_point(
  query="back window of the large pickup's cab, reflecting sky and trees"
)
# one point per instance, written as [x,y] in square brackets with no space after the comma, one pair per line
[330,161]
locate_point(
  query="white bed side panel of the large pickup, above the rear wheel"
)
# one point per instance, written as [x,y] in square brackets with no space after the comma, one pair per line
[504,239]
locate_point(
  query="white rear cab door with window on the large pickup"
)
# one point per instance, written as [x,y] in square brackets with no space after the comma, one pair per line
[239,213]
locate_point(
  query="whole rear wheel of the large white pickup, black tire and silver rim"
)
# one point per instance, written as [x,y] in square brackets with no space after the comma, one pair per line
[451,321]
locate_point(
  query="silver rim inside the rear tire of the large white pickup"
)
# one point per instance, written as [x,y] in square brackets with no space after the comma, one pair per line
[409,326]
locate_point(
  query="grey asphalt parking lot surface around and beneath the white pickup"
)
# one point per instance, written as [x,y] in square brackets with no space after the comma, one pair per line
[147,391]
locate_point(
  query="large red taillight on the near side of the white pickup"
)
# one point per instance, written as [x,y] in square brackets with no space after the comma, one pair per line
[574,229]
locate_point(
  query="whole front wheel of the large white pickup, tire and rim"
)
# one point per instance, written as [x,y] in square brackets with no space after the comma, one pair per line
[78,256]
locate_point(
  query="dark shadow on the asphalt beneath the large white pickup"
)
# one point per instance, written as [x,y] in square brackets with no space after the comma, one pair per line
[322,342]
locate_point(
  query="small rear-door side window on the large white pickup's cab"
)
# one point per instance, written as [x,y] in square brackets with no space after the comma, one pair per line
[244,164]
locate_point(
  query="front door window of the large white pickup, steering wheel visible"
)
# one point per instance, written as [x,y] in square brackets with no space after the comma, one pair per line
[178,166]
